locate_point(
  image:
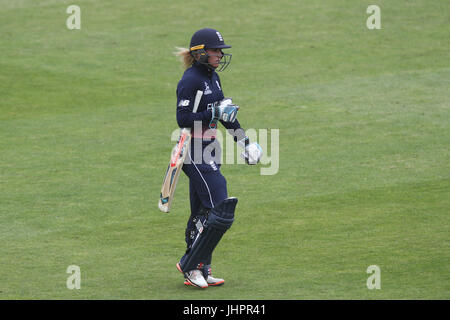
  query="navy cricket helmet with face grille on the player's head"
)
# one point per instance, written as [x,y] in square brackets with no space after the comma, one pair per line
[208,38]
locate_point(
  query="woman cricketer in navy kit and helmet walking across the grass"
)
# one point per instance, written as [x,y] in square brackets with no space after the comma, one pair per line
[212,211]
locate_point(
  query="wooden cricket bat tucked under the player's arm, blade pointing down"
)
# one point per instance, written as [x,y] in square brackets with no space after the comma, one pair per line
[177,157]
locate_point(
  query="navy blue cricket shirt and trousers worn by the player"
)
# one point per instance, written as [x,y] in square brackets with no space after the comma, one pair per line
[207,185]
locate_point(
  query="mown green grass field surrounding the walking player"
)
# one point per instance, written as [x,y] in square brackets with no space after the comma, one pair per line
[364,162]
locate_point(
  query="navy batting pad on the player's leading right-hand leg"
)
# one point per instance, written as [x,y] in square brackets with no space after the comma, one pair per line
[219,221]
